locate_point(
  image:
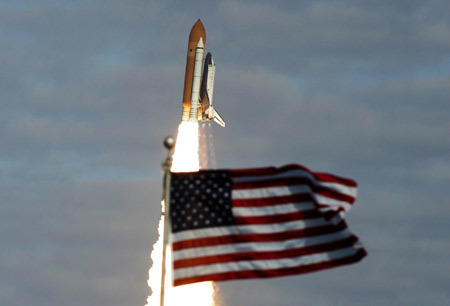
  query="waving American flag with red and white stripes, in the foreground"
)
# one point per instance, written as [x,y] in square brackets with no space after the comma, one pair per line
[263,222]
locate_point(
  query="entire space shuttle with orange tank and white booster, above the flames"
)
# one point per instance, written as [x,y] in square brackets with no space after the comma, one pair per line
[198,87]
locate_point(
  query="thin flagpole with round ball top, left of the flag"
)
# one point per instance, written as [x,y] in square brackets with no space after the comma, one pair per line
[169,143]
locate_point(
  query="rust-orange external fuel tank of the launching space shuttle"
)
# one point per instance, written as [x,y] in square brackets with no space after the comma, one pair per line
[197,33]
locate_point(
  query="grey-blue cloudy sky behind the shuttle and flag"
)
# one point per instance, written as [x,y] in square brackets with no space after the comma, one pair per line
[89,90]
